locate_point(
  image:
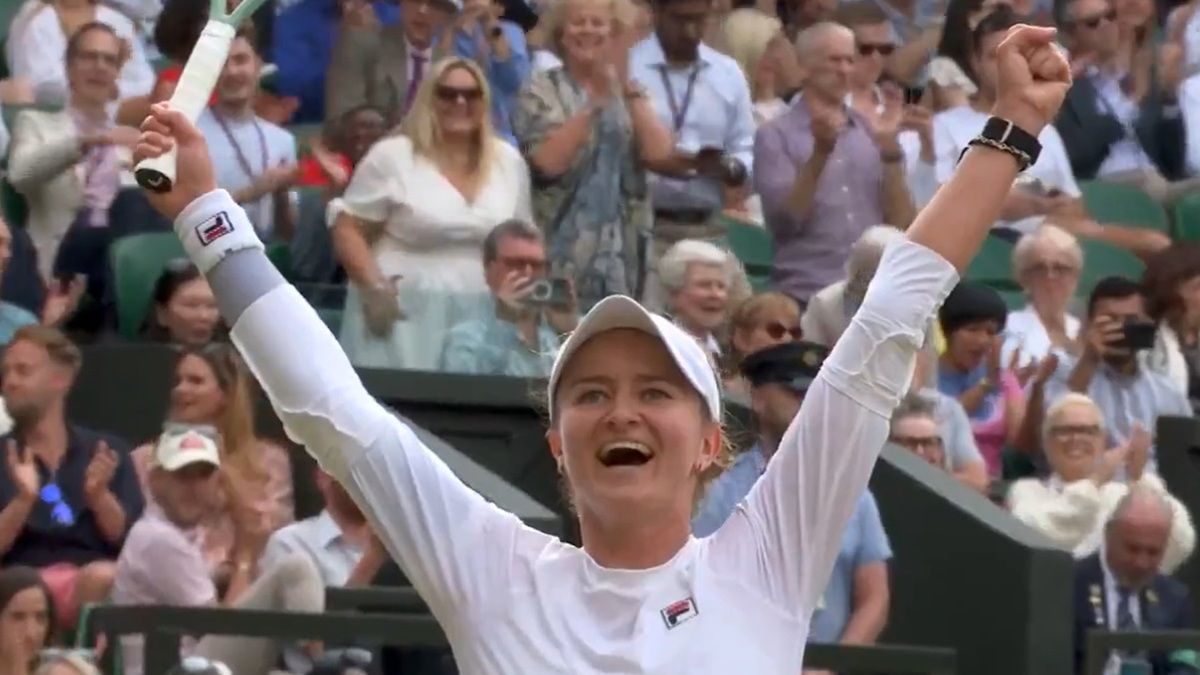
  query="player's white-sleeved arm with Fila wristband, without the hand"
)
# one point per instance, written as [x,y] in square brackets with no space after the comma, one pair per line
[448,540]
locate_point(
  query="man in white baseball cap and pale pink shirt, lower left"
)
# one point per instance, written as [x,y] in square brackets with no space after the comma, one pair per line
[163,563]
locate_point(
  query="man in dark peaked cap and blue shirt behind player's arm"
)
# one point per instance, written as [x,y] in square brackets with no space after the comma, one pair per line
[855,606]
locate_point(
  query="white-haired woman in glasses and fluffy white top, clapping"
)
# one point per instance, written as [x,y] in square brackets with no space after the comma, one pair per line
[1085,486]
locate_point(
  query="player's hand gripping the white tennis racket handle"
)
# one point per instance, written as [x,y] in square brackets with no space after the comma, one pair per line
[163,130]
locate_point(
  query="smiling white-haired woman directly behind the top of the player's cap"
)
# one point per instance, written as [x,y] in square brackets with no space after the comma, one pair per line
[698,278]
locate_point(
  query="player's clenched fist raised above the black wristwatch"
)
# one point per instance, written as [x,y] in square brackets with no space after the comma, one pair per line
[1034,76]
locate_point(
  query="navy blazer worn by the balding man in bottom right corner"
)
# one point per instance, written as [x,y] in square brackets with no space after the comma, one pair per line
[1165,606]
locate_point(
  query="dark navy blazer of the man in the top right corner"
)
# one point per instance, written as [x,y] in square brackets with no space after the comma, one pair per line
[1089,132]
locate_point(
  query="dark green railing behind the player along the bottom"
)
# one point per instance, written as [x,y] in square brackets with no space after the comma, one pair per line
[404,620]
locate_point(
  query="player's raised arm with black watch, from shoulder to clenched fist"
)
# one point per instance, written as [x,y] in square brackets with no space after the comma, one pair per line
[799,511]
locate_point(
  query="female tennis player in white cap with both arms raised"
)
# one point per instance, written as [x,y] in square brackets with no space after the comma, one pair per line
[635,414]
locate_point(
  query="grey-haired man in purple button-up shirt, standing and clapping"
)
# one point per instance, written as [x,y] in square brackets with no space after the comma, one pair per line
[825,172]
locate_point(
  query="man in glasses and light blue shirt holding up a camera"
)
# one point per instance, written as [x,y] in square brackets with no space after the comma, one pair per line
[517,334]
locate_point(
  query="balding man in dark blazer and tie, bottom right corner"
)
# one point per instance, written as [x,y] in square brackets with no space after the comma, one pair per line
[1120,588]
